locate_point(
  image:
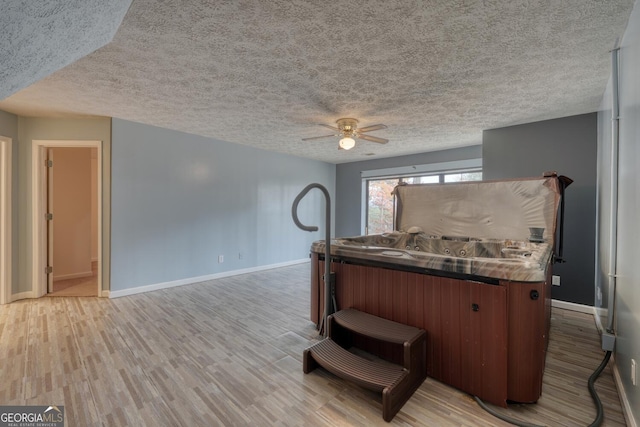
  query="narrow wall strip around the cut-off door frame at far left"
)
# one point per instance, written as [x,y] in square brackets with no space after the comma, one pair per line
[9,128]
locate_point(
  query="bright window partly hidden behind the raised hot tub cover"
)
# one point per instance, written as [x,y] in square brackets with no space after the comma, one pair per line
[381,202]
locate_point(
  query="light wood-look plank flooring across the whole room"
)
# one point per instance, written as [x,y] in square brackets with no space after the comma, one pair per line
[228,353]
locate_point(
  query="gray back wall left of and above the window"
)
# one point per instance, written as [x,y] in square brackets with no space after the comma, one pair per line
[349,182]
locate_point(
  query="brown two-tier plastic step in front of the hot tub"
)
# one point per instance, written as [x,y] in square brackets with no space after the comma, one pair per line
[397,383]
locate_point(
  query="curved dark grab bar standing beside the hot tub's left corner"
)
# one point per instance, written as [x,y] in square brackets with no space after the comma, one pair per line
[328,286]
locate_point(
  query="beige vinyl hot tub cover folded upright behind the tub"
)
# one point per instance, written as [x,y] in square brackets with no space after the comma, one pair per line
[502,209]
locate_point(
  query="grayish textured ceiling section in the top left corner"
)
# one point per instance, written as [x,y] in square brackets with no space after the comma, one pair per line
[41,37]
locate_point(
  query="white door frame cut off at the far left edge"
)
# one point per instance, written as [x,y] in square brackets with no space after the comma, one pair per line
[5,219]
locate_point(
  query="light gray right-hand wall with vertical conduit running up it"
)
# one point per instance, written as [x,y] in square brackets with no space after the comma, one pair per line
[627,300]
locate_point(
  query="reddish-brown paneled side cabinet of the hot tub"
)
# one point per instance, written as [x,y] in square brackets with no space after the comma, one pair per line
[486,339]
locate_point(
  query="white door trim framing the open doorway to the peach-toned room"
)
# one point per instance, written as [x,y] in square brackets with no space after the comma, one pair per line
[38,193]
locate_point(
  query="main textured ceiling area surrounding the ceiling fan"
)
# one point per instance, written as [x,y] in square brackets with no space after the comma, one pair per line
[265,73]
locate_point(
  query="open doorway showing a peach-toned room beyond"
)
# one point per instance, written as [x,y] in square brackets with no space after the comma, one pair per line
[67,220]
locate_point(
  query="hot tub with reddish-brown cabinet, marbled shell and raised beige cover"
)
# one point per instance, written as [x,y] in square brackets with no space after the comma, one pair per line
[471,264]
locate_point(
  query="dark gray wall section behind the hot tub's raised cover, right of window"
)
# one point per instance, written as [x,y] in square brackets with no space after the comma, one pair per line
[568,146]
